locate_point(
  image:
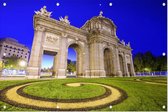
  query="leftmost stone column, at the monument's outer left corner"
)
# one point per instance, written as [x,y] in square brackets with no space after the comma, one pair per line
[34,66]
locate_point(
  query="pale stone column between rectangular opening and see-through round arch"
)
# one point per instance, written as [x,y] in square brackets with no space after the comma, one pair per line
[62,58]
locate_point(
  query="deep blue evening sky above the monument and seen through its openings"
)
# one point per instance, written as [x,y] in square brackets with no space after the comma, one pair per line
[140,22]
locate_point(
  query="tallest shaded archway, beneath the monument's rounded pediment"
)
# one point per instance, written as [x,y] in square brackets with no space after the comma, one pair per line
[108,62]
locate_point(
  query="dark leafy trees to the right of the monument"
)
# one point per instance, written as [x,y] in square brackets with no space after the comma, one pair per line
[148,62]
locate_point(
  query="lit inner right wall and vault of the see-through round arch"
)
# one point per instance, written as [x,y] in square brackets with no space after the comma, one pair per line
[79,59]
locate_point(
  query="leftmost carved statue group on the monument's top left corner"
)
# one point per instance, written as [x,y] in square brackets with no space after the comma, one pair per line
[43,12]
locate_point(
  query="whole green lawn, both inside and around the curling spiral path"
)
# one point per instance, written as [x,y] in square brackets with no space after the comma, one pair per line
[142,96]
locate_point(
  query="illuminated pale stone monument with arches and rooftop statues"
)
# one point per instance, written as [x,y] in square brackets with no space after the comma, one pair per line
[99,51]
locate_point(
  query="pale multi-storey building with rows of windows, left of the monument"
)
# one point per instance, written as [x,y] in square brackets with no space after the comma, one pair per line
[11,47]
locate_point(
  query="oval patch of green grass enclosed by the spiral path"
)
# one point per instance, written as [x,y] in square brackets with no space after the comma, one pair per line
[56,89]
